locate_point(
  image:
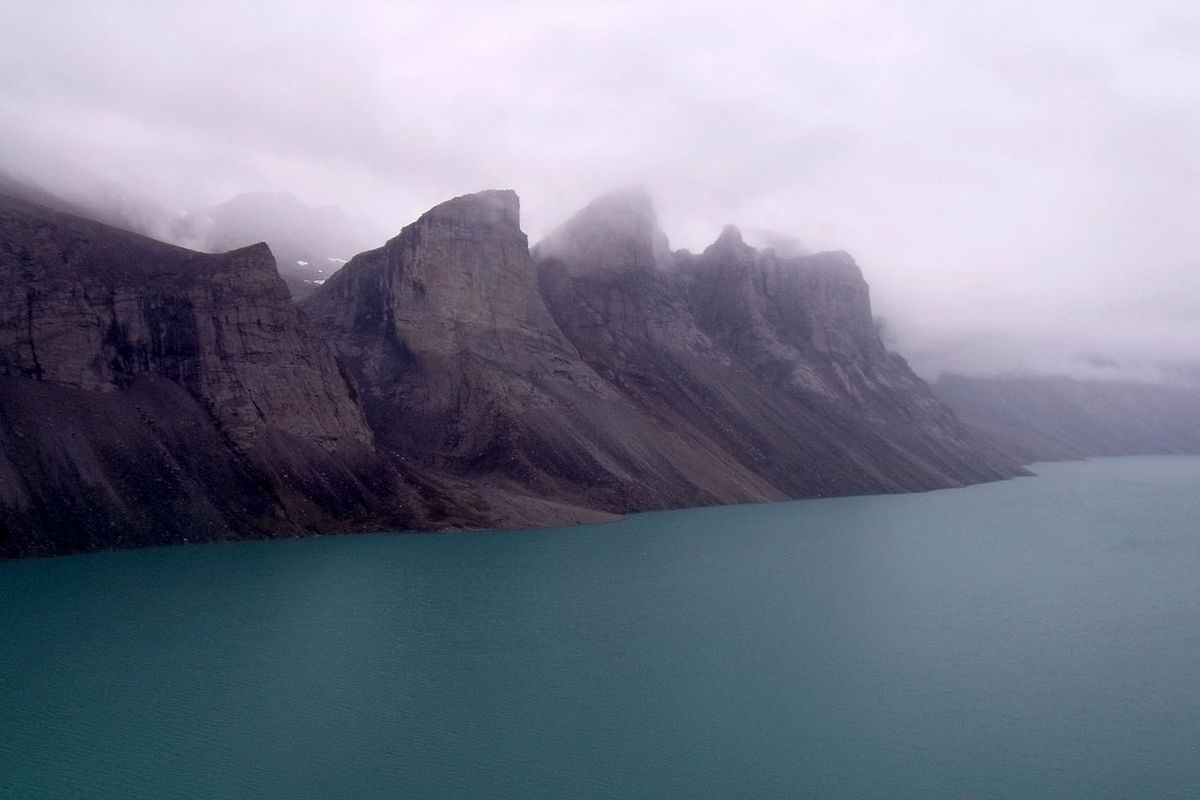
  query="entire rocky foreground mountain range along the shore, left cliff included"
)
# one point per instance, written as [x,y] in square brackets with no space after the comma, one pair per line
[452,378]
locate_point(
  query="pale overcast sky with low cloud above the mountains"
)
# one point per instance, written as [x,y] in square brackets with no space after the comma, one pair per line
[1021,182]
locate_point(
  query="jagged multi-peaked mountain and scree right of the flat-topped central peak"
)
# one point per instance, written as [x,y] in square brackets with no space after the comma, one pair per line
[777,362]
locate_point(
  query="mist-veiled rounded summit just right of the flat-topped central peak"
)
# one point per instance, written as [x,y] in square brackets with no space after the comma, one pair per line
[619,232]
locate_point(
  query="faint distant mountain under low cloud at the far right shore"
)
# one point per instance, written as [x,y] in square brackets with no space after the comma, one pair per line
[1055,418]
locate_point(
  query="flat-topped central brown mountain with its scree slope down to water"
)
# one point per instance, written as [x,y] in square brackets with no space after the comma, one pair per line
[464,370]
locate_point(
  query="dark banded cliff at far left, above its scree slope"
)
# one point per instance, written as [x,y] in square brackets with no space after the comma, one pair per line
[92,308]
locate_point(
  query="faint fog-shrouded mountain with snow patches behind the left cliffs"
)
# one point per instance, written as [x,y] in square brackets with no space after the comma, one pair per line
[309,244]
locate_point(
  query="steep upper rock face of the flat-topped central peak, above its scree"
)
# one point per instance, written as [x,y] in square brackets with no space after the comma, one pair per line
[446,333]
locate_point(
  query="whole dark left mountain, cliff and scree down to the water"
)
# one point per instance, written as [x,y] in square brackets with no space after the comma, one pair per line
[152,394]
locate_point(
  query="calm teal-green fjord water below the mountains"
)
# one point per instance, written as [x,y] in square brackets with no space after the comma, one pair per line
[1033,639]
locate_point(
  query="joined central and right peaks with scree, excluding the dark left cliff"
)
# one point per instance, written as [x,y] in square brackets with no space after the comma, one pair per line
[601,370]
